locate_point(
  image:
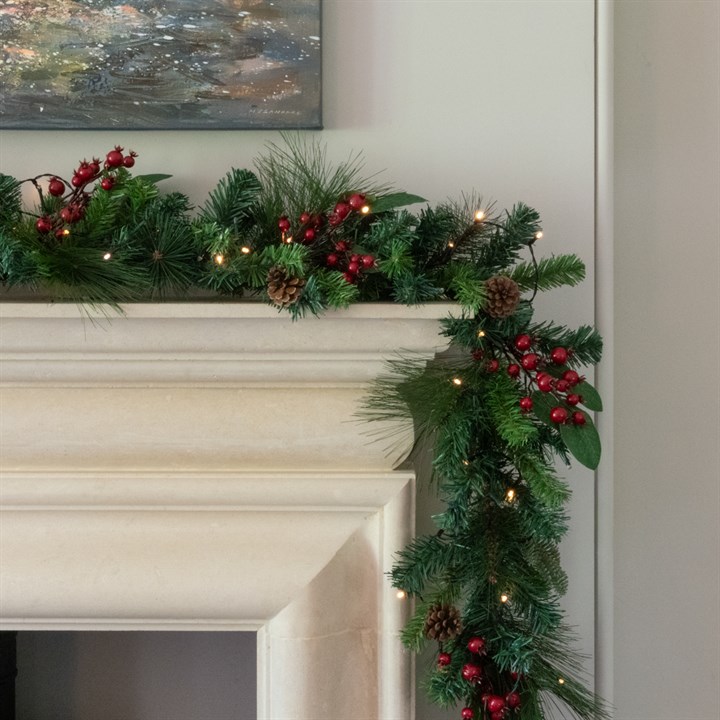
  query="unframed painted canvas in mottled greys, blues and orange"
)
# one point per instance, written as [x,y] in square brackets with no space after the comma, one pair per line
[160,64]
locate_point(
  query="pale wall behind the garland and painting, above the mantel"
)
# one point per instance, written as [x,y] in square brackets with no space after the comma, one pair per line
[447,95]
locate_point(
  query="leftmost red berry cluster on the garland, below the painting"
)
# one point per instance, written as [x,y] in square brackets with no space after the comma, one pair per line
[76,201]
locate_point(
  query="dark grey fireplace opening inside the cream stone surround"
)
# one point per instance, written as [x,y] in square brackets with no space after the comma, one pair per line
[136,675]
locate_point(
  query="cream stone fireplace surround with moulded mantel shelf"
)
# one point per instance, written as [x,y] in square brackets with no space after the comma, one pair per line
[199,466]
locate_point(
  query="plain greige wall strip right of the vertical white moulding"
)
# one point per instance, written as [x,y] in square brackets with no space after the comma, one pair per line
[667,367]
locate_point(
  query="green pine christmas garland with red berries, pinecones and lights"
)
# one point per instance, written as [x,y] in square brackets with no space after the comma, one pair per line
[499,411]
